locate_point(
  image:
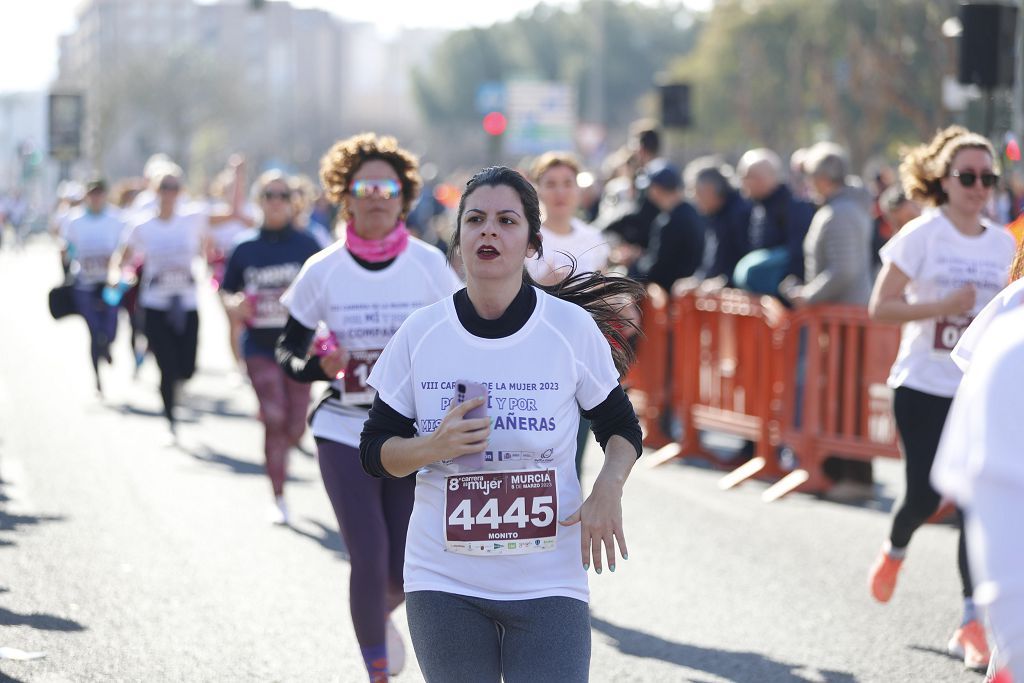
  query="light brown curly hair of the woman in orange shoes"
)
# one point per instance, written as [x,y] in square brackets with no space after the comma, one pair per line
[923,167]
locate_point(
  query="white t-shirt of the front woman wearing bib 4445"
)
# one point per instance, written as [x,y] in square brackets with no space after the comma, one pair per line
[538,379]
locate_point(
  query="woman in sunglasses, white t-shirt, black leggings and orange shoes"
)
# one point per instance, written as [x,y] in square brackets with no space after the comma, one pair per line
[938,273]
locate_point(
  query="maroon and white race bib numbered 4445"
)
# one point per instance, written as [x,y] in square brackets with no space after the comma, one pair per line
[501,514]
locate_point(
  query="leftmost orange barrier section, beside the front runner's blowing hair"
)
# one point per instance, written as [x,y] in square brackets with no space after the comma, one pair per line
[649,380]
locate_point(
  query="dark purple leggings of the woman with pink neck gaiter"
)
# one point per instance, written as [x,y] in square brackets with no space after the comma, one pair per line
[373,516]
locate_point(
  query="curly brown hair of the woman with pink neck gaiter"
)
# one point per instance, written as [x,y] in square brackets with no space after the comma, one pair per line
[346,157]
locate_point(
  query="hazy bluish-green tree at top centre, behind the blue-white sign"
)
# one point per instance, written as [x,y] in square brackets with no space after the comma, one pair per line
[636,42]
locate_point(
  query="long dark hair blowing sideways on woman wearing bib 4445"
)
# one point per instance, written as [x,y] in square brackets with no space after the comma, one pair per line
[605,297]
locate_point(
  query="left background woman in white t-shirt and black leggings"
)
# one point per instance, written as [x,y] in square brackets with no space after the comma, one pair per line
[169,241]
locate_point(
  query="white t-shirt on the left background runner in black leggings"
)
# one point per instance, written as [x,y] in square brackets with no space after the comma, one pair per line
[169,248]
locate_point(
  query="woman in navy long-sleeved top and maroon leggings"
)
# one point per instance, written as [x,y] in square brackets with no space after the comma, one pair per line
[260,270]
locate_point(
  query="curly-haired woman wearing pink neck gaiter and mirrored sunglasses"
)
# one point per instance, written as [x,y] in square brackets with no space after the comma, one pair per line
[362,289]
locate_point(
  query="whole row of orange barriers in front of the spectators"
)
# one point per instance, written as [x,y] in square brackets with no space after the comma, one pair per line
[729,363]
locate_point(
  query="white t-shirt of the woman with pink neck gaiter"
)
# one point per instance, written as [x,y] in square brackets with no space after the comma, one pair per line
[364,309]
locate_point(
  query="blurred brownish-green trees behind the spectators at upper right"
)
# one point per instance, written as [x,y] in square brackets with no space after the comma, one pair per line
[786,73]
